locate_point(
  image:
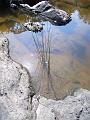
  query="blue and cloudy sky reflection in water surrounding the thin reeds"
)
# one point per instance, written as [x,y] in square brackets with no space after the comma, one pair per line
[70,56]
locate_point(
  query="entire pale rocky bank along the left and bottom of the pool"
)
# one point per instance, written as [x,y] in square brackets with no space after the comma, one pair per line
[18,102]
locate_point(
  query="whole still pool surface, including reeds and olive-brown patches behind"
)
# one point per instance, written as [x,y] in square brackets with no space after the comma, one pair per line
[58,58]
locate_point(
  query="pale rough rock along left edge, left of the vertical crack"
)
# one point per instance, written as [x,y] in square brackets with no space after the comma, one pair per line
[15,87]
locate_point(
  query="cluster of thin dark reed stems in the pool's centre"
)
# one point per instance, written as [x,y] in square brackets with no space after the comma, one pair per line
[43,48]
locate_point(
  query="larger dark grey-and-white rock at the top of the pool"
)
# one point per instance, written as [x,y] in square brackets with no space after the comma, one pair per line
[46,11]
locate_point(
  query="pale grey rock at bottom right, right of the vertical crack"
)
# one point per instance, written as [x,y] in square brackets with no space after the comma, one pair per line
[75,107]
